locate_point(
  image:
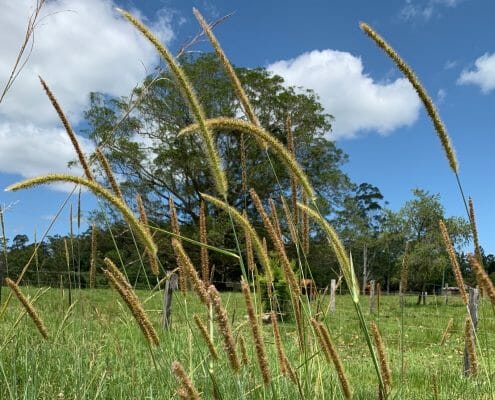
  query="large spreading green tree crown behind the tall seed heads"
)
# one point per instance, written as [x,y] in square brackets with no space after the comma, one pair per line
[146,152]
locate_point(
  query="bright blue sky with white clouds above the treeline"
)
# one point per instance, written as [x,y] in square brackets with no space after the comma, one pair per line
[84,45]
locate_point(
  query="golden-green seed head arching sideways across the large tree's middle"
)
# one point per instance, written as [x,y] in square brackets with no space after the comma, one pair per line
[236,125]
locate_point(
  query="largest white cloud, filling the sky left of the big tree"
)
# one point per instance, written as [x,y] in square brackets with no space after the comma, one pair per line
[79,46]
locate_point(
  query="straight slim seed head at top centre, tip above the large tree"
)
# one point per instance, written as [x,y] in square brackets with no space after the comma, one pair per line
[236,83]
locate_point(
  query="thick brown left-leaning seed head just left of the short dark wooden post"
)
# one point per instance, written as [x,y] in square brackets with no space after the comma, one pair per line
[120,283]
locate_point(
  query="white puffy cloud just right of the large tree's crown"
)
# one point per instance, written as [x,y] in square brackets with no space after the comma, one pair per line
[357,102]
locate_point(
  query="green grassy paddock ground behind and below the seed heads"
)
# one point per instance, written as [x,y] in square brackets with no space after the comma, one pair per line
[96,350]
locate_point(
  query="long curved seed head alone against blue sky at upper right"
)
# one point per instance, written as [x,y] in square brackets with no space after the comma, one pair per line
[420,90]
